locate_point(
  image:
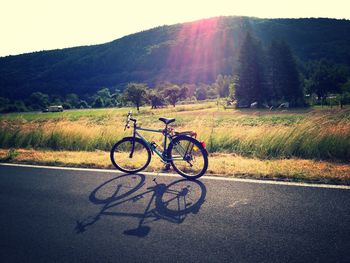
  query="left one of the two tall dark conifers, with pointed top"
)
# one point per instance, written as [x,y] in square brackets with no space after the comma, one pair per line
[250,86]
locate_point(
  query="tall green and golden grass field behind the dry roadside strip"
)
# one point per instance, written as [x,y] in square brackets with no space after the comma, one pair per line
[308,133]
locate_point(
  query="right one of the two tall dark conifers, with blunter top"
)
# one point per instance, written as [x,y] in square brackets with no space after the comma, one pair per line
[283,74]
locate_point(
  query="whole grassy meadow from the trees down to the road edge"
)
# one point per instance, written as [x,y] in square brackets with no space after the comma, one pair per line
[264,137]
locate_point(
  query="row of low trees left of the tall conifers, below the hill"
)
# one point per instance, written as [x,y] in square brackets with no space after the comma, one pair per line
[136,94]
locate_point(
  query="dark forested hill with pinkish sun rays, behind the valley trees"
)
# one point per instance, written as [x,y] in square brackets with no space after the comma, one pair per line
[182,53]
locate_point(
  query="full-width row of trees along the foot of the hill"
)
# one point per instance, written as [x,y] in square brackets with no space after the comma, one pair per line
[265,77]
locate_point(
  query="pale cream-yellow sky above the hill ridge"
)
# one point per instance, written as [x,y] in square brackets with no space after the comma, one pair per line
[35,25]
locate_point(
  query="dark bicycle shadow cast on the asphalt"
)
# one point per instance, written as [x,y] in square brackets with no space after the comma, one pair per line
[170,202]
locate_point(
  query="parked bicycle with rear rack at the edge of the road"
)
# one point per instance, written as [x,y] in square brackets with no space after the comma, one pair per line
[181,150]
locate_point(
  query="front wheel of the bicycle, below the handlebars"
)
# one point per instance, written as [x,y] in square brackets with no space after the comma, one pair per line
[127,160]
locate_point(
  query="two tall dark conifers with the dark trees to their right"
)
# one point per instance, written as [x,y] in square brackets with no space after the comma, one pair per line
[272,76]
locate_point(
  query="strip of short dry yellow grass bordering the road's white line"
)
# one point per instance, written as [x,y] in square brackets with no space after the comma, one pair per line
[220,164]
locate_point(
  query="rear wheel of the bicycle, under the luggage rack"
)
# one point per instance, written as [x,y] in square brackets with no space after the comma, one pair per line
[188,157]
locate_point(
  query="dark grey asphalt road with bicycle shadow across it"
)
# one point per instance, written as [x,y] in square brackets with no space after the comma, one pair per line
[55,215]
